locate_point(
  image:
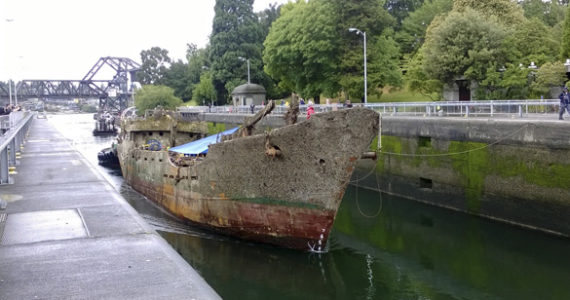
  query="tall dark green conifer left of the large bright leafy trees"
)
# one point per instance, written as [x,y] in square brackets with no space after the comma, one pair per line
[236,33]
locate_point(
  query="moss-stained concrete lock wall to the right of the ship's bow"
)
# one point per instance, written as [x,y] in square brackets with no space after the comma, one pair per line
[516,171]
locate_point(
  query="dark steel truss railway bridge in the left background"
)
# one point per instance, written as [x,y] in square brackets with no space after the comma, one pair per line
[113,94]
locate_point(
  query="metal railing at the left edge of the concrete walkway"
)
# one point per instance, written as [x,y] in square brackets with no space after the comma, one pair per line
[11,141]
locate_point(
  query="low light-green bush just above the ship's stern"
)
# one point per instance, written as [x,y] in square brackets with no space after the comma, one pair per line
[151,96]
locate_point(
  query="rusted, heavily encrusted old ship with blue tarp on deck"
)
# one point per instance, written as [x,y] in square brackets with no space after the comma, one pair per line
[282,187]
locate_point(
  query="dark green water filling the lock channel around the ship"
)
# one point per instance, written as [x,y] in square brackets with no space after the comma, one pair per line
[381,247]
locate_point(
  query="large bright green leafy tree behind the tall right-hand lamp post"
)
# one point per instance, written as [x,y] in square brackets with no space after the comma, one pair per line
[310,50]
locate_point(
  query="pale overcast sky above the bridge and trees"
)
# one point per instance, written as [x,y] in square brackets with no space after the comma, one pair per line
[62,39]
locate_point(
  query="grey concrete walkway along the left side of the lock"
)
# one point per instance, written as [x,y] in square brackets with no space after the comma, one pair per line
[69,235]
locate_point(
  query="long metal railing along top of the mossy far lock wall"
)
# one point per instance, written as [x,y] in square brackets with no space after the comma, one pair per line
[487,108]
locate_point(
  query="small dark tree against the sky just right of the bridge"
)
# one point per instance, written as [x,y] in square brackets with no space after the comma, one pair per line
[154,65]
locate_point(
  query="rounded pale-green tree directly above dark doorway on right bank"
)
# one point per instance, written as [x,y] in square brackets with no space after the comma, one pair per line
[464,44]
